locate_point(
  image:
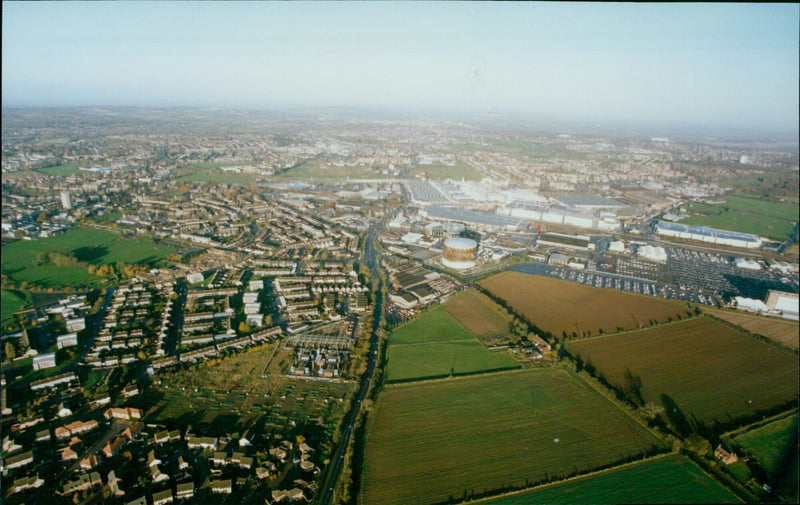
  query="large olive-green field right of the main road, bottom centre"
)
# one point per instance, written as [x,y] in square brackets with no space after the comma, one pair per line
[475,434]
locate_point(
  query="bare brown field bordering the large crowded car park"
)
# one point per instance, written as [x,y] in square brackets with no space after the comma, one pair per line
[560,307]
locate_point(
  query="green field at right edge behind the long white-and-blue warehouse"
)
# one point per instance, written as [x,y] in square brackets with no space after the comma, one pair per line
[747,215]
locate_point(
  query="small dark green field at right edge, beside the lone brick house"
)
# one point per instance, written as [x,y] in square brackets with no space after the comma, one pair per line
[770,444]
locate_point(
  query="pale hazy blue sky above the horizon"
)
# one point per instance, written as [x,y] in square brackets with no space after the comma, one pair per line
[708,64]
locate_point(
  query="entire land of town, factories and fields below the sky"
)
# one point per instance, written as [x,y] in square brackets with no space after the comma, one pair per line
[350,305]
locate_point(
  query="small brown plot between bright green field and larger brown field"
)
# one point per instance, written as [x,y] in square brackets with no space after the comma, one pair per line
[479,315]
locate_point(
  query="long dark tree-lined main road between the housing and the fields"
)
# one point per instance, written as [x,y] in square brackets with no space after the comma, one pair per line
[370,258]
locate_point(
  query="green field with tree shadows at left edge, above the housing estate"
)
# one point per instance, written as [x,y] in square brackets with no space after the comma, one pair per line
[20,259]
